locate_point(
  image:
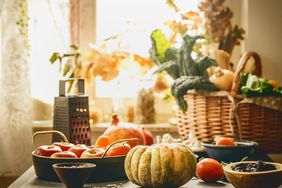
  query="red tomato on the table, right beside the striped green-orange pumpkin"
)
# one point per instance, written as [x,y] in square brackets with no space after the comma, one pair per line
[209,170]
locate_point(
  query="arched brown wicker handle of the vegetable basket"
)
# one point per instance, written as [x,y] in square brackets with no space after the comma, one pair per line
[242,63]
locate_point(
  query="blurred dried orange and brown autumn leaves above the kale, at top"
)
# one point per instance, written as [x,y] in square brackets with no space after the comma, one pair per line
[213,20]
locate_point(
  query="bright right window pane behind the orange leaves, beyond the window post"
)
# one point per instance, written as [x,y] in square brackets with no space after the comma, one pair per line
[130,23]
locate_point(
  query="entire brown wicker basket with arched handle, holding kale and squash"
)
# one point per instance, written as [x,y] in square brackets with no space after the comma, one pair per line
[226,114]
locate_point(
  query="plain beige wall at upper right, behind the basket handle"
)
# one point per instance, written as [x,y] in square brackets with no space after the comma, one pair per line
[263,22]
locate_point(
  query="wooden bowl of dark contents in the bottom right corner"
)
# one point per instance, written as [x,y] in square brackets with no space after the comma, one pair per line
[265,179]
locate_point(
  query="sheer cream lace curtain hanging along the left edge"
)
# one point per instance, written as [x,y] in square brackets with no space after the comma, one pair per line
[15,103]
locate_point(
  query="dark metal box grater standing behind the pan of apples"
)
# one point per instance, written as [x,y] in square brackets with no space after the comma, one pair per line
[71,115]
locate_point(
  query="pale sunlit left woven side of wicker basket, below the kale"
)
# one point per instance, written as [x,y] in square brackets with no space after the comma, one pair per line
[209,114]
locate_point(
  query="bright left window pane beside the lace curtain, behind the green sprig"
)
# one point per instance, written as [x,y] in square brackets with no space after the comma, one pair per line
[49,32]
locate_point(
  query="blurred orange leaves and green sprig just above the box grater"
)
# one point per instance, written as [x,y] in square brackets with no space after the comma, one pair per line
[97,62]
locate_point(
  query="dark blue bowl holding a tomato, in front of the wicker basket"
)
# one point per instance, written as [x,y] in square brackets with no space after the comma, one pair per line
[230,153]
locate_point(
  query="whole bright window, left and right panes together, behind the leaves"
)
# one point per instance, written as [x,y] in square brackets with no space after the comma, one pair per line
[128,22]
